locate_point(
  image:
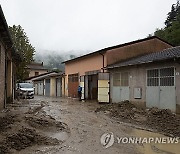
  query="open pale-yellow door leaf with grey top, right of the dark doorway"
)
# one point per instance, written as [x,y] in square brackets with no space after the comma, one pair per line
[103,87]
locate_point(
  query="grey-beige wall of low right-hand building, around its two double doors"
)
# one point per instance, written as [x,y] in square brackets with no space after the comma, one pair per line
[137,79]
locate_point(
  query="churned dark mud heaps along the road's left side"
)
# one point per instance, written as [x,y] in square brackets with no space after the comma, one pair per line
[25,124]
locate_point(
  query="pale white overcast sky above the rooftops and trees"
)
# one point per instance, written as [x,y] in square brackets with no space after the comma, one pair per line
[65,25]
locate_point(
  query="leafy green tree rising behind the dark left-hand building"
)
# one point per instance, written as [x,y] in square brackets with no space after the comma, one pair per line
[24,48]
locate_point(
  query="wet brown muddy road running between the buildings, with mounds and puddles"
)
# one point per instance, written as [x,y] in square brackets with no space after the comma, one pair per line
[55,125]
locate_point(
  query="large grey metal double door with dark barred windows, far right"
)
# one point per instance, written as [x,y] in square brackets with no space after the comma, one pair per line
[160,91]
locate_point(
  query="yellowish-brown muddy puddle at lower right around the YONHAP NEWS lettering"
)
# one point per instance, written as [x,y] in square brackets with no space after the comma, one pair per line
[154,148]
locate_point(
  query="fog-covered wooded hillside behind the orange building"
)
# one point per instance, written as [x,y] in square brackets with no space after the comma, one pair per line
[53,59]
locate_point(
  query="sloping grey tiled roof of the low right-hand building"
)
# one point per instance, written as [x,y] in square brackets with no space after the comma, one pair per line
[165,54]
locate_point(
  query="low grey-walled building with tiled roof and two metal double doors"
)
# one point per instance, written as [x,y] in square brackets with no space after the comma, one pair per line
[151,80]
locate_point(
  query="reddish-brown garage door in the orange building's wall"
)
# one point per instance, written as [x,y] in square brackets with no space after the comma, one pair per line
[73,84]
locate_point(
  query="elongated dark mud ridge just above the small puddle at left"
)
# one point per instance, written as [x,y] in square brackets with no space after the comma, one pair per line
[42,123]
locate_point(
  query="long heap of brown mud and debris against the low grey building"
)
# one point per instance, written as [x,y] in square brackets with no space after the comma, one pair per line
[161,120]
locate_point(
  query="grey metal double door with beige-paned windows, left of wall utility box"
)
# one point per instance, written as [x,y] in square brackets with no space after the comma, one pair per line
[120,87]
